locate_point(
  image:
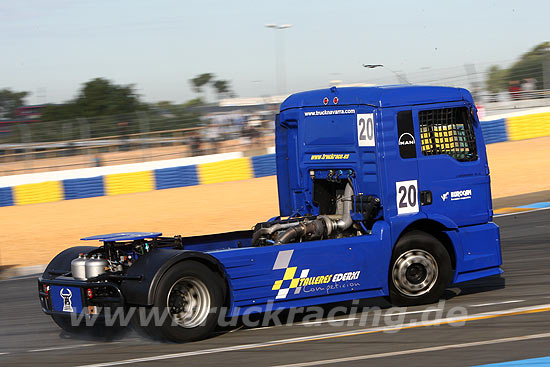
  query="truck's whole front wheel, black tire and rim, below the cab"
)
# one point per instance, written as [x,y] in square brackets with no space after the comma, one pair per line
[420,270]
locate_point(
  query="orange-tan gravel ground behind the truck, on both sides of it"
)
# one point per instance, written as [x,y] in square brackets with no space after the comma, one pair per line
[33,234]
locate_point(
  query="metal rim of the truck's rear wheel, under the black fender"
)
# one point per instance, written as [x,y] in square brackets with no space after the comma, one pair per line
[188,302]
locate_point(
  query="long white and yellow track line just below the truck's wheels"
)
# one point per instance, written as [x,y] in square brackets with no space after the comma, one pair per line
[448,320]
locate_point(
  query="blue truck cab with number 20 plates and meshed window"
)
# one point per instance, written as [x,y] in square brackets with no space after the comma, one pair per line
[418,149]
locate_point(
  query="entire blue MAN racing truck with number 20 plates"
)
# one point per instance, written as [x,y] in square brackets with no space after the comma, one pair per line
[383,191]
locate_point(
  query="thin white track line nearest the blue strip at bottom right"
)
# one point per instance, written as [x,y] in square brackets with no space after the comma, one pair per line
[420,350]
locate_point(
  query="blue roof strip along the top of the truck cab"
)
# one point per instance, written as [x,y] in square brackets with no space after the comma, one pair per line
[380,96]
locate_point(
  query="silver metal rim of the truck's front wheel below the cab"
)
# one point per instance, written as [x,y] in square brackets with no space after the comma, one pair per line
[415,273]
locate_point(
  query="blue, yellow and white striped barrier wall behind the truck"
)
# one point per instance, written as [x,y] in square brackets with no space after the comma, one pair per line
[159,175]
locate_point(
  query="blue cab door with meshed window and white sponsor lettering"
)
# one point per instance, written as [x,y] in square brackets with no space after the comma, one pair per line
[452,164]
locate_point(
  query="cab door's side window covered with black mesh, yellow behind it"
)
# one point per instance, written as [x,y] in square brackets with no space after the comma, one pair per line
[448,131]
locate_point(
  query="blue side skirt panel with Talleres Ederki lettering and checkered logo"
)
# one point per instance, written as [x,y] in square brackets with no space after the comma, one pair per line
[294,275]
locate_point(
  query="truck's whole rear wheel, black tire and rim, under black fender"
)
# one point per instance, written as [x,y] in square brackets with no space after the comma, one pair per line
[189,297]
